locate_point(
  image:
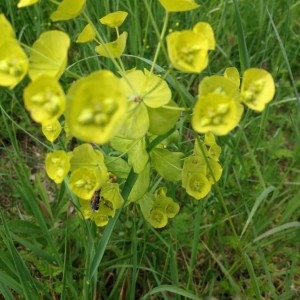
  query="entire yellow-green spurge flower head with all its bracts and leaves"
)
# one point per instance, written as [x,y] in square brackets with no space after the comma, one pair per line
[126,122]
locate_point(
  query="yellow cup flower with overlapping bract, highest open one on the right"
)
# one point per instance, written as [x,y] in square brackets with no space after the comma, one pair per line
[188,49]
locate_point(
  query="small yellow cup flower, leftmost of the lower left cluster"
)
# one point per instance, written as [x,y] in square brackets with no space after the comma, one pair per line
[57,165]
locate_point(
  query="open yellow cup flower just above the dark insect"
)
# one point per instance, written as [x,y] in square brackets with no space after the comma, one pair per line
[83,182]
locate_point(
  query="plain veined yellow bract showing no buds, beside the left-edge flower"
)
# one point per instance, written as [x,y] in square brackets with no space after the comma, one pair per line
[48,54]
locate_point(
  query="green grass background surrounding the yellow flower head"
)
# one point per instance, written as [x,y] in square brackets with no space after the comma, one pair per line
[242,241]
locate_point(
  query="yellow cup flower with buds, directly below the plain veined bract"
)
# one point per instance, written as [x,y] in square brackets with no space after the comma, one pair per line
[44,99]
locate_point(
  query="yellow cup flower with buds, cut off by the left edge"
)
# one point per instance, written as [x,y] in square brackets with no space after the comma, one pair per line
[13,63]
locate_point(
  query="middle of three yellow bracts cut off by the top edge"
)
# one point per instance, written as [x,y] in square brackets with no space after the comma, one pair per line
[68,9]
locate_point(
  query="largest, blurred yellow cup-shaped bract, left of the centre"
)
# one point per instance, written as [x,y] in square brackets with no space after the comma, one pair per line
[96,108]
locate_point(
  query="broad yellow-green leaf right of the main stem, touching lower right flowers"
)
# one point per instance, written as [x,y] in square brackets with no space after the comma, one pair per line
[167,163]
